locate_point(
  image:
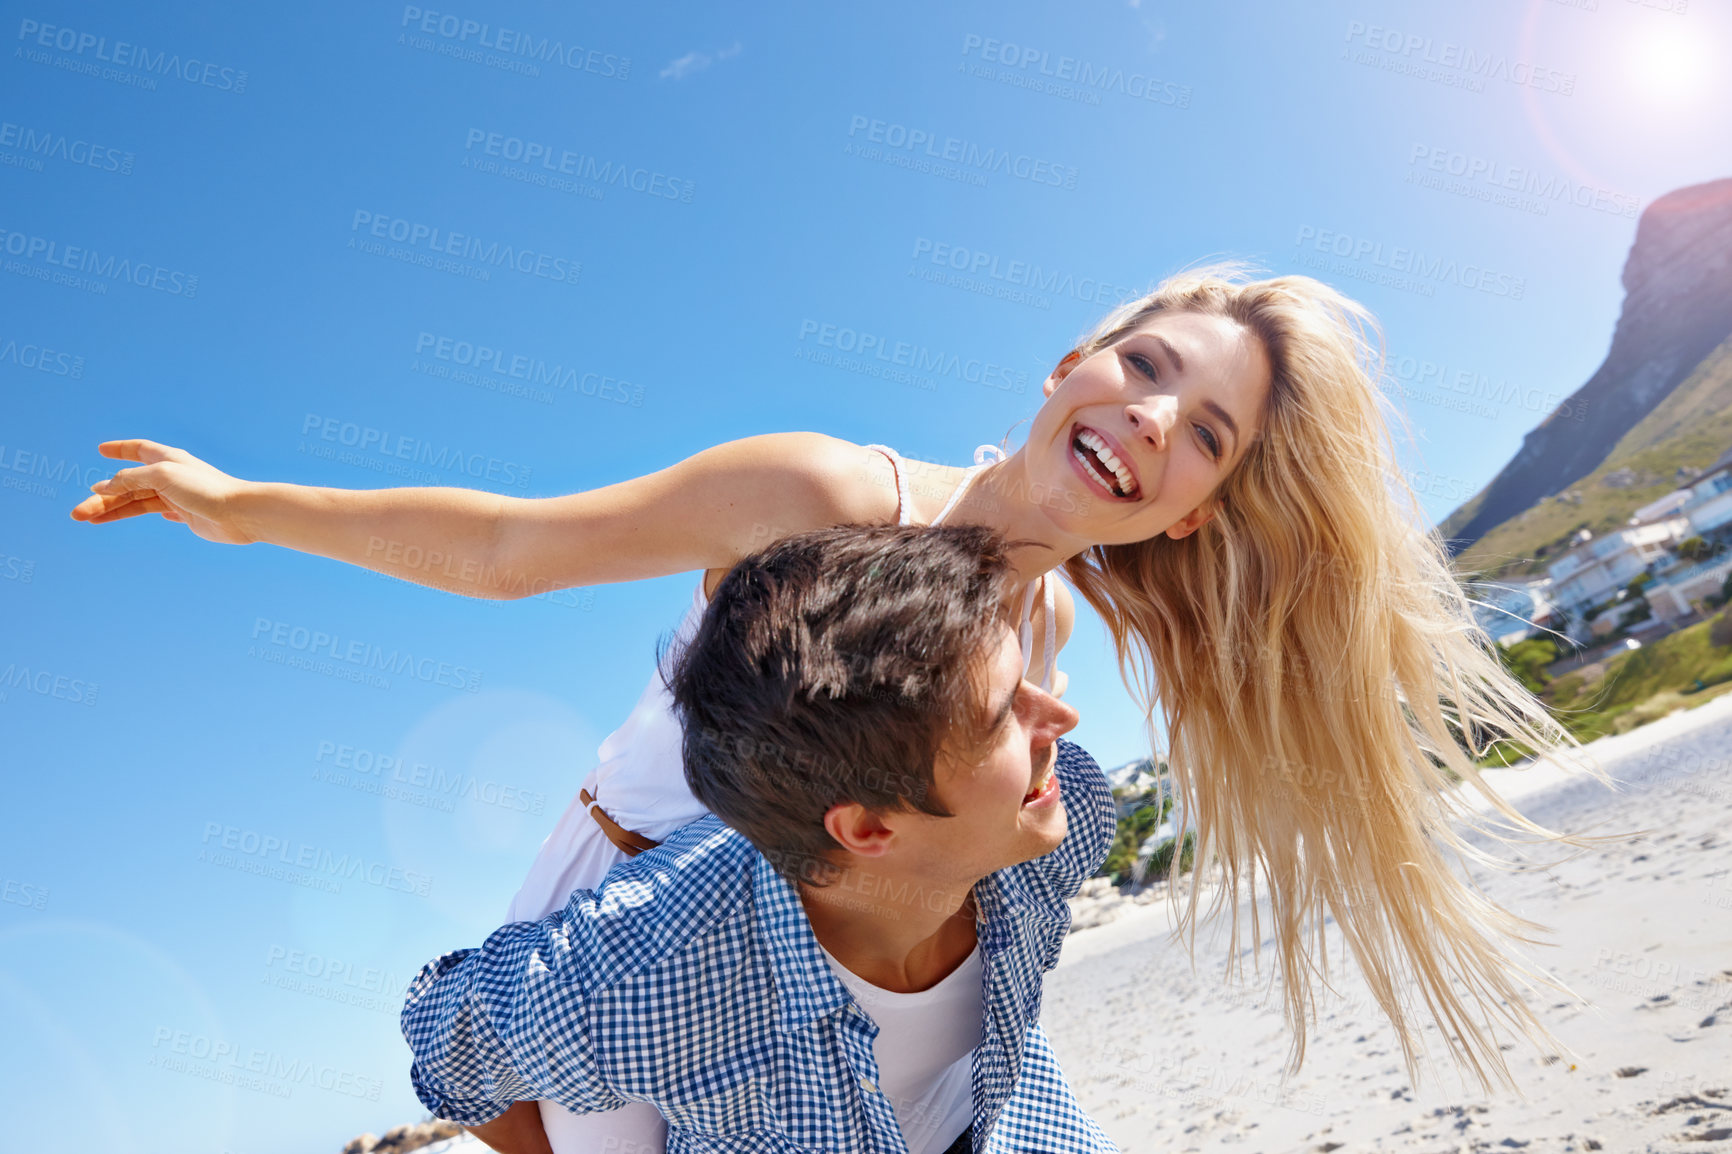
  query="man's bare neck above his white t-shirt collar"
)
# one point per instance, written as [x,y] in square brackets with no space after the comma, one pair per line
[900,938]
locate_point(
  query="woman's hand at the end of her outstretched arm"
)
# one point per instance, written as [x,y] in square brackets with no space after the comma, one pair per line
[171,483]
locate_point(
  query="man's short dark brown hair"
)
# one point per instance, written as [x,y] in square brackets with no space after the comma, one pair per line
[832,668]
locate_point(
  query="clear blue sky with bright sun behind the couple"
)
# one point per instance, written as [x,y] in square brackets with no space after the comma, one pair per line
[164,989]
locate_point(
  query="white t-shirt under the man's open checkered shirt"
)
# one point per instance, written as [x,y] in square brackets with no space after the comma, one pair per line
[924,1047]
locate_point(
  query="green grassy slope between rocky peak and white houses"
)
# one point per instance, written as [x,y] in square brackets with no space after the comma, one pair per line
[1690,429]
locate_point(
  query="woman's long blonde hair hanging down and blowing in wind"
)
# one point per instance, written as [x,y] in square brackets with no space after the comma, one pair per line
[1322,675]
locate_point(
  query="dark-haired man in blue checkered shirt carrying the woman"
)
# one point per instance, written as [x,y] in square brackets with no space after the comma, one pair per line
[850,954]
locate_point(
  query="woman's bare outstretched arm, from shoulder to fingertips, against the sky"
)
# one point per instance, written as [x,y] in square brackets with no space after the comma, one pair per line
[706,512]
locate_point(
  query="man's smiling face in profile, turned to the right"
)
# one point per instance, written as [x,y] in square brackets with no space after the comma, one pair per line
[1004,796]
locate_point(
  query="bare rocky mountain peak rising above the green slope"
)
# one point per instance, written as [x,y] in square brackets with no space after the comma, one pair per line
[1677,309]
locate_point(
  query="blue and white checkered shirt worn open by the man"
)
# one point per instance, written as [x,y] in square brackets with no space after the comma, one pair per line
[692,980]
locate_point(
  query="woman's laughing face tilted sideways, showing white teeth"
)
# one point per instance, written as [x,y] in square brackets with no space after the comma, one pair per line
[1146,431]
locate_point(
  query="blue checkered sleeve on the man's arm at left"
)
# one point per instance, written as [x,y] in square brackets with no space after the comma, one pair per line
[507,1023]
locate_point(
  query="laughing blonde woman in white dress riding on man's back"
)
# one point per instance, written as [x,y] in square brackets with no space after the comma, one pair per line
[1213,472]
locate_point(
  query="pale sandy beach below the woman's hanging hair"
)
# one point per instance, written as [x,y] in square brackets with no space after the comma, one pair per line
[1175,1061]
